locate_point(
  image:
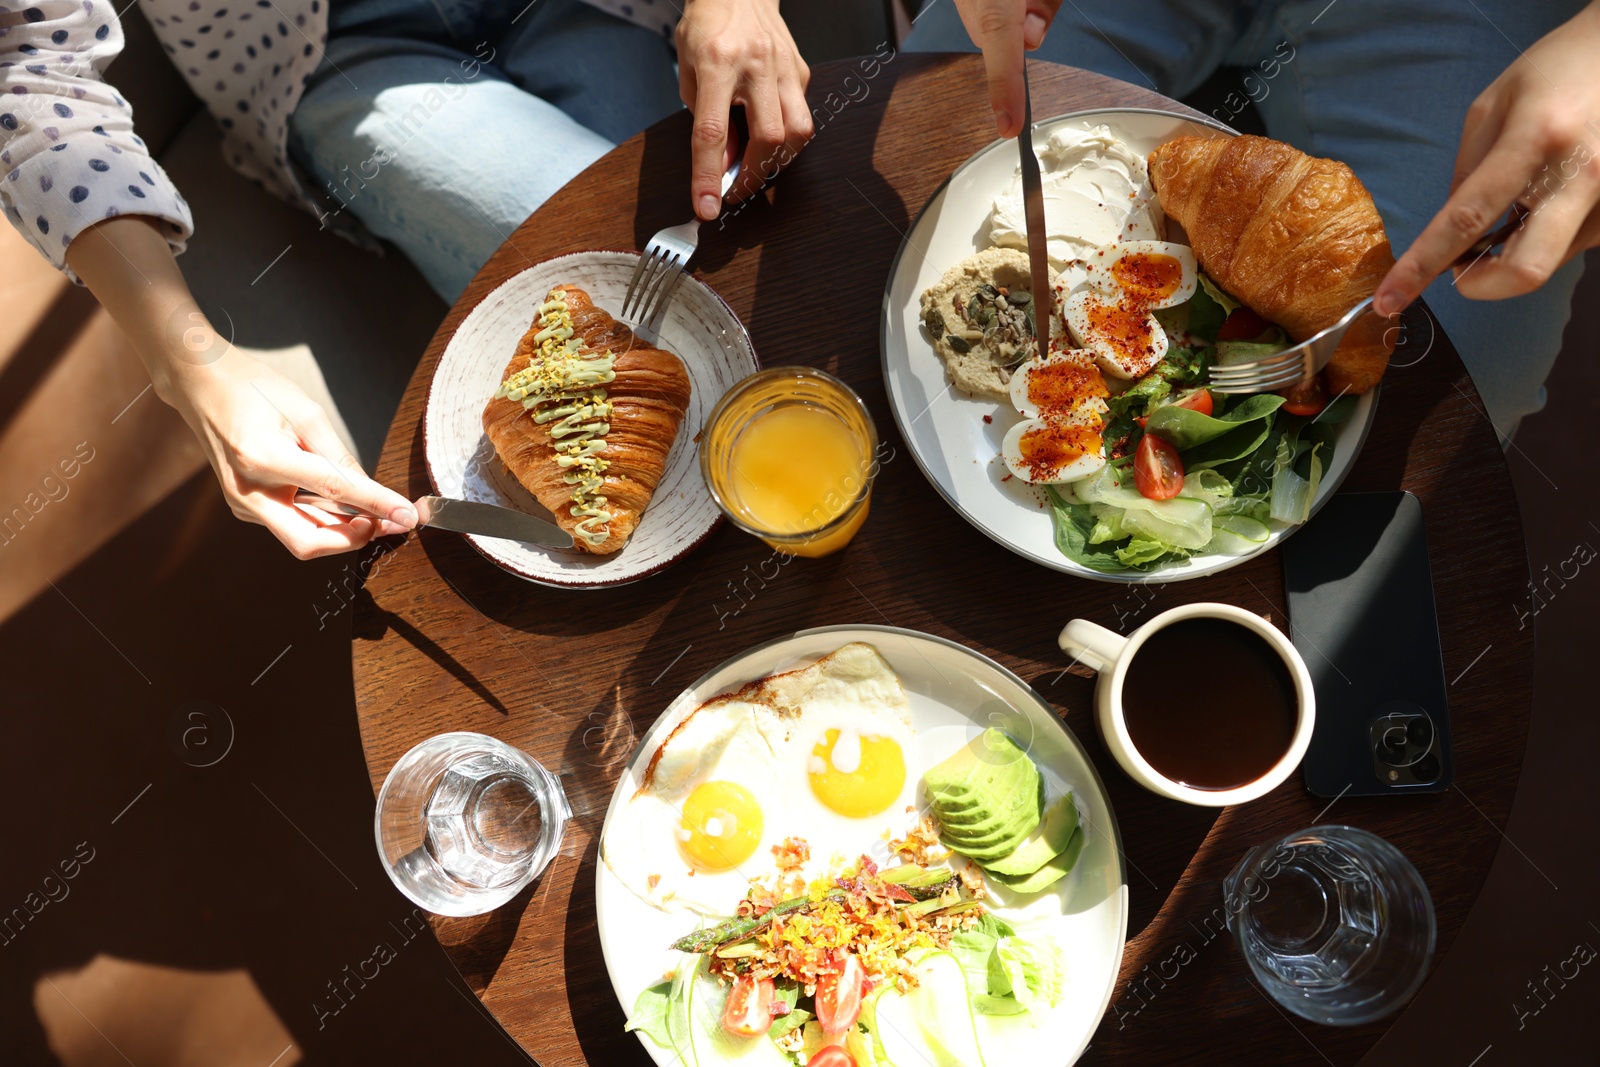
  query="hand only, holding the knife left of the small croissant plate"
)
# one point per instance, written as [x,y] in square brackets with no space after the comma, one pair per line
[266,439]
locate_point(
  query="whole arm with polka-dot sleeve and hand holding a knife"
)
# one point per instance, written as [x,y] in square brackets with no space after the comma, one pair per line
[82,188]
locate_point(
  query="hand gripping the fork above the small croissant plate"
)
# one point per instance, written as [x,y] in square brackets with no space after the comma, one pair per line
[740,52]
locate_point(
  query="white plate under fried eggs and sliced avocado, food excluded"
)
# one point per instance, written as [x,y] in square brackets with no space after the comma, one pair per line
[961,692]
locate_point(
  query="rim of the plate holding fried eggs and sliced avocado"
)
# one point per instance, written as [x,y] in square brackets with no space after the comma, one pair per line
[865,631]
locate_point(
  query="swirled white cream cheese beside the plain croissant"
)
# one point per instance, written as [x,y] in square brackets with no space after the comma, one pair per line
[1097,193]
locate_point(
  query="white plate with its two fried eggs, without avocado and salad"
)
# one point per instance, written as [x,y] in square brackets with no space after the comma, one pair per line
[823,737]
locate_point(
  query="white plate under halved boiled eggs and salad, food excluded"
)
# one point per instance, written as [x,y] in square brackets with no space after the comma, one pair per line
[946,430]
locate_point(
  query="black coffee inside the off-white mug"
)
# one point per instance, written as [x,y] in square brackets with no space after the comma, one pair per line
[1209,703]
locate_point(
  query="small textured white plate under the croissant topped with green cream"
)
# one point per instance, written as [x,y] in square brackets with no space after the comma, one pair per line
[698,327]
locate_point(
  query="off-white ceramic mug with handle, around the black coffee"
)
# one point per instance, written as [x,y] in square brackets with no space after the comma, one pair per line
[1111,653]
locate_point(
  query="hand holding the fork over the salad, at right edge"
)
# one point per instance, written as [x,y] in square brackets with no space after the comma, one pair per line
[1534,137]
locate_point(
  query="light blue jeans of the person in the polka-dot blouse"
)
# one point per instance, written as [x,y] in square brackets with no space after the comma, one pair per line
[444,126]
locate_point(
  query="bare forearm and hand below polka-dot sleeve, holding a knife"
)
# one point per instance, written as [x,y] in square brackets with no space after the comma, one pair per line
[263,434]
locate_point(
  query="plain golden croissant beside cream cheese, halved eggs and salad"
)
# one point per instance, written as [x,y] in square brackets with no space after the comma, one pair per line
[1295,238]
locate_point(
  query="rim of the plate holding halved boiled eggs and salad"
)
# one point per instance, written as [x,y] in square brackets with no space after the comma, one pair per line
[1170,573]
